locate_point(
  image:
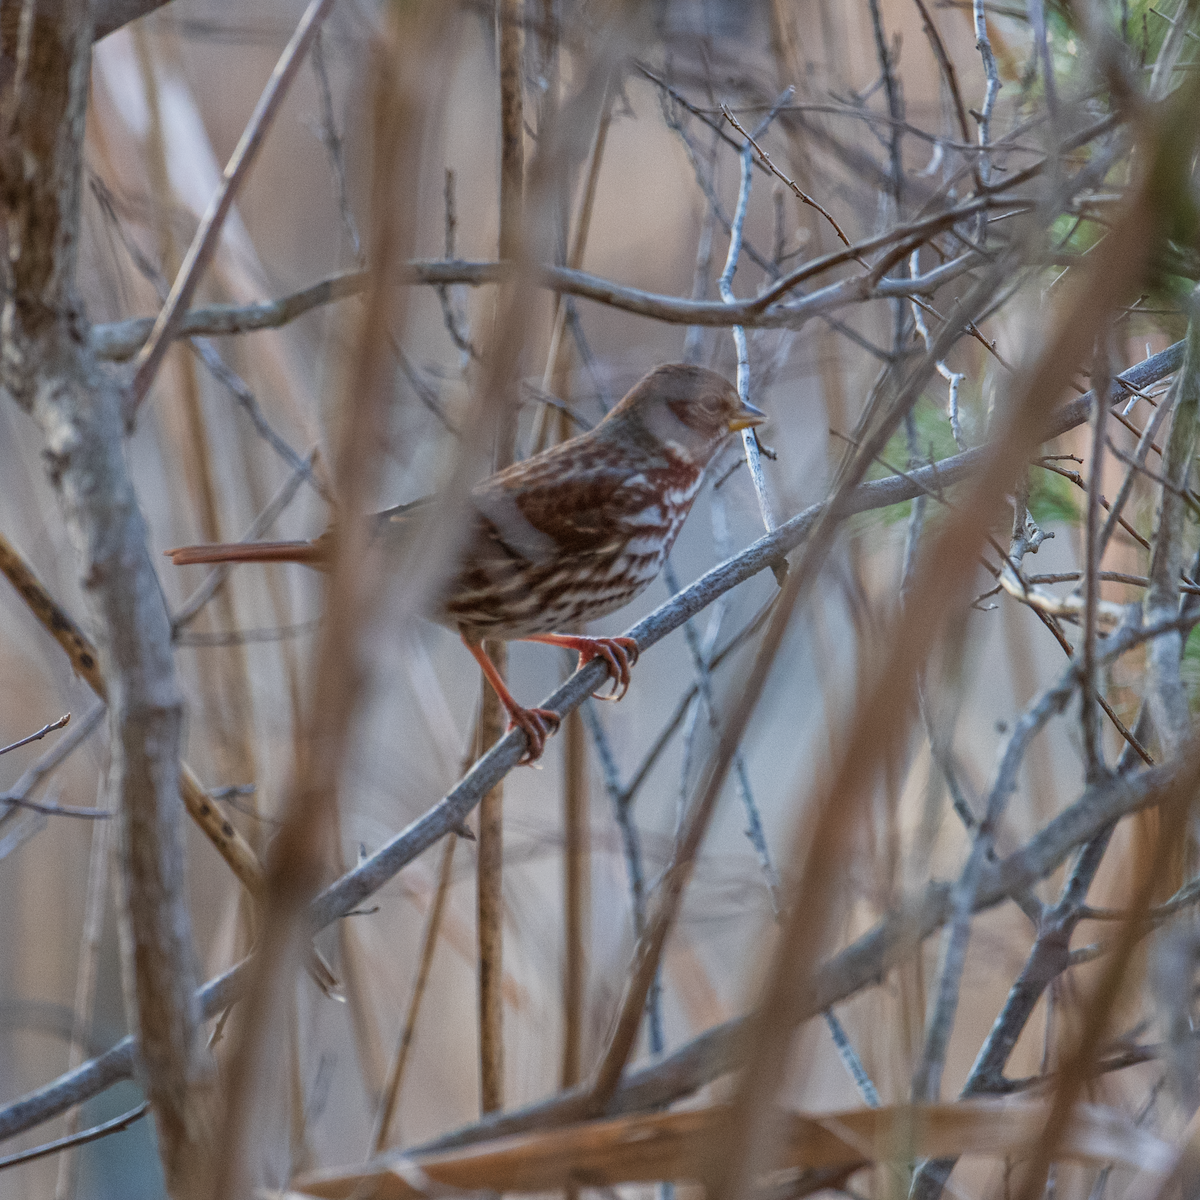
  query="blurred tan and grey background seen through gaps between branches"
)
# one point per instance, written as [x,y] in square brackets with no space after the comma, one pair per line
[226,425]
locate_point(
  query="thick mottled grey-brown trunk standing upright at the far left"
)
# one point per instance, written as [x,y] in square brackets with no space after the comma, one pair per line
[47,368]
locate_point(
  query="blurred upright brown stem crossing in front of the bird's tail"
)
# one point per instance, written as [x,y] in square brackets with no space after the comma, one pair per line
[305,843]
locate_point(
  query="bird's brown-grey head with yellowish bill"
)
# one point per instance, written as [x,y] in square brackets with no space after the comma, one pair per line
[686,409]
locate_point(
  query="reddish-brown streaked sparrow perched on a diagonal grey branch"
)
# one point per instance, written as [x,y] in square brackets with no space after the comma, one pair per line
[568,536]
